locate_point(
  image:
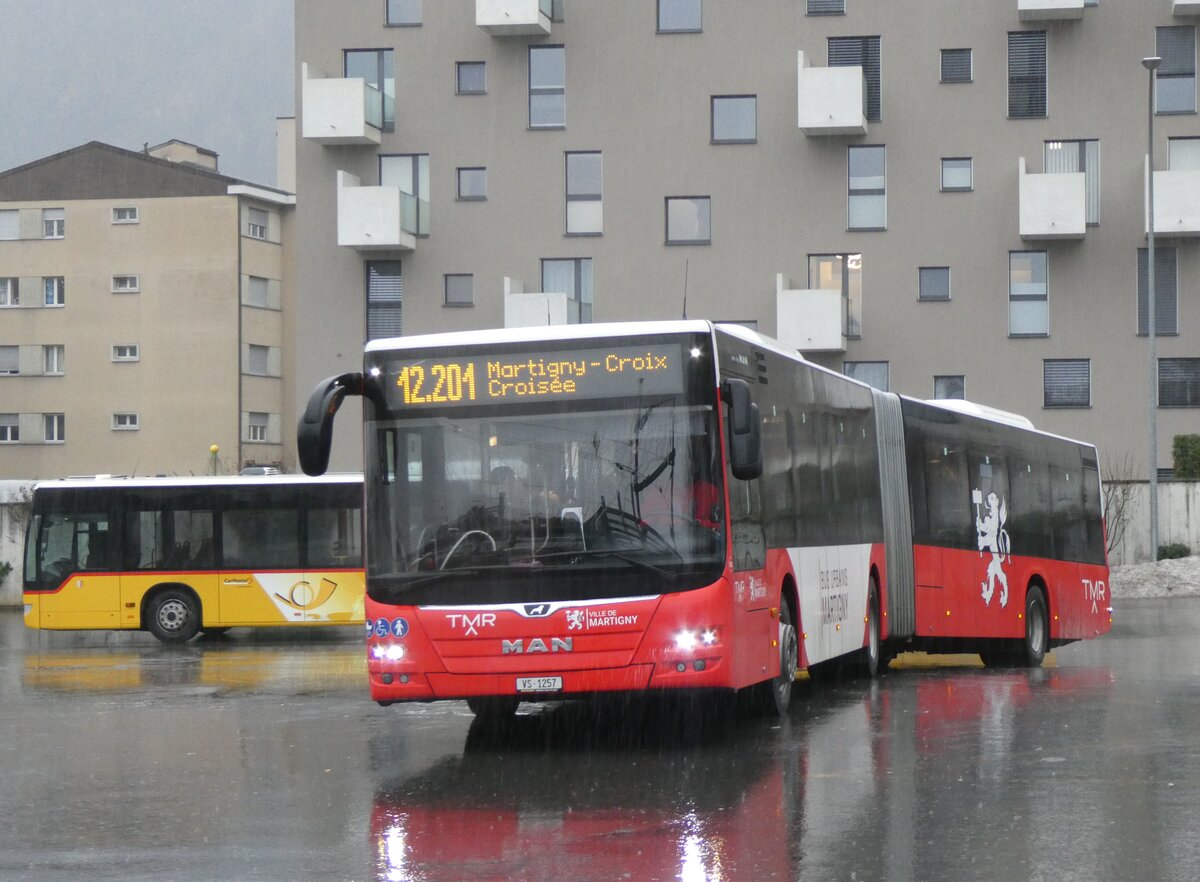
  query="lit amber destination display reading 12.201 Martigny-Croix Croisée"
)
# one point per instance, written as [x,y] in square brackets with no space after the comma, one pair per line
[616,371]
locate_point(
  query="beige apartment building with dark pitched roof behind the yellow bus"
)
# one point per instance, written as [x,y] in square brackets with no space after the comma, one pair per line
[143,315]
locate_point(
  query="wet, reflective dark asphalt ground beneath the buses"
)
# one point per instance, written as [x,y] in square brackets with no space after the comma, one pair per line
[259,757]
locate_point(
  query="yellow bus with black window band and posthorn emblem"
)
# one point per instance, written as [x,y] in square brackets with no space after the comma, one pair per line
[178,556]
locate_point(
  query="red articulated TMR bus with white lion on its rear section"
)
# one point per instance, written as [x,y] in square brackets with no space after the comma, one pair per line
[571,511]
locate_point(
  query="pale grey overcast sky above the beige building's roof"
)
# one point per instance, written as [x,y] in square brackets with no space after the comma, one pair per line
[134,73]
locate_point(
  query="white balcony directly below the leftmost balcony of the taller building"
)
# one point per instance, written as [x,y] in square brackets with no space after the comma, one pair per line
[379,219]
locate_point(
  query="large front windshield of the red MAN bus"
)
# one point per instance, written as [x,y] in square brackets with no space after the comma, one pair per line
[608,502]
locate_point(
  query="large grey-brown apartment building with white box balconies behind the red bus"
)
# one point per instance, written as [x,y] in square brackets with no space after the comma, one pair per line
[945,200]
